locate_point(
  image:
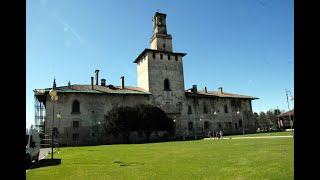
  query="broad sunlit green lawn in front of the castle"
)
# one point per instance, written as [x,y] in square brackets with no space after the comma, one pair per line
[203,159]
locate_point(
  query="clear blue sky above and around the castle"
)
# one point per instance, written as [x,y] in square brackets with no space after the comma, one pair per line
[246,47]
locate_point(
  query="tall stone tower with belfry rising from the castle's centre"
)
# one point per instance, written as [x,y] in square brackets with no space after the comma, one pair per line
[160,70]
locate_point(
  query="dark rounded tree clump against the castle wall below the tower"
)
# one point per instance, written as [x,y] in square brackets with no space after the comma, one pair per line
[144,119]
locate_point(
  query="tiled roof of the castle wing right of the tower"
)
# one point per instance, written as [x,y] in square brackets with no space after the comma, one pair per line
[217,94]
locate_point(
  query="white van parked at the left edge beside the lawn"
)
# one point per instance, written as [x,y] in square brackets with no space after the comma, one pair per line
[32,146]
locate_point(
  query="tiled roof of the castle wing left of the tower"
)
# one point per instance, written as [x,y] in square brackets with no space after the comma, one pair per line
[100,89]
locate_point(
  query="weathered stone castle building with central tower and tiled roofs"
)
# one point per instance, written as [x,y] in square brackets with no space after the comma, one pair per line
[160,80]
